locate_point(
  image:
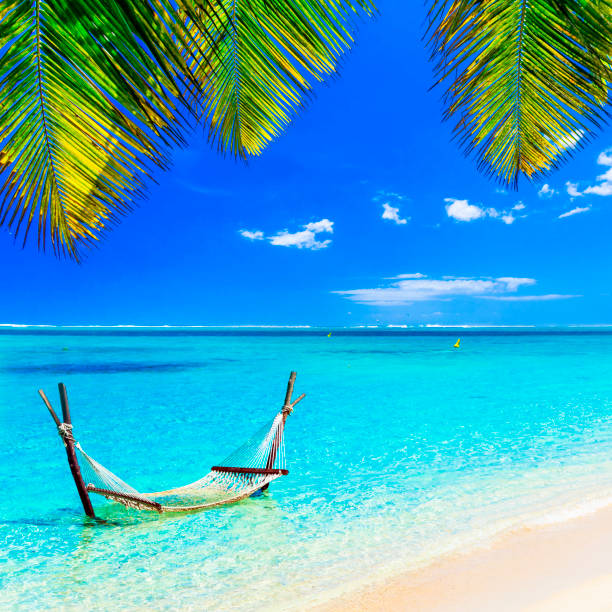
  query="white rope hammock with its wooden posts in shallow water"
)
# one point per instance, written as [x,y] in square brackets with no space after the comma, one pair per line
[250,468]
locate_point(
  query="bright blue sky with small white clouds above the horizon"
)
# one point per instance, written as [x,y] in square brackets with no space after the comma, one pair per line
[363,212]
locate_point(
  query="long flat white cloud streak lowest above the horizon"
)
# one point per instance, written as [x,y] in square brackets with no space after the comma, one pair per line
[412,288]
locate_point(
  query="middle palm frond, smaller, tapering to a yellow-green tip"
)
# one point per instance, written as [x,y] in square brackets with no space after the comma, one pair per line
[263,59]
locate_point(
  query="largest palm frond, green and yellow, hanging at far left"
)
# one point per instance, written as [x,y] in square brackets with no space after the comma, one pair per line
[90,93]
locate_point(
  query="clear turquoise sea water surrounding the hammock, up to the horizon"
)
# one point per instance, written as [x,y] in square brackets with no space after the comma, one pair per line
[403,450]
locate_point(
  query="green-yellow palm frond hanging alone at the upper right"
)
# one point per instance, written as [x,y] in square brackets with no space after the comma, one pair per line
[527,80]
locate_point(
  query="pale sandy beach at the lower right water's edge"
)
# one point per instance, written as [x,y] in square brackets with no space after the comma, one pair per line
[554,568]
